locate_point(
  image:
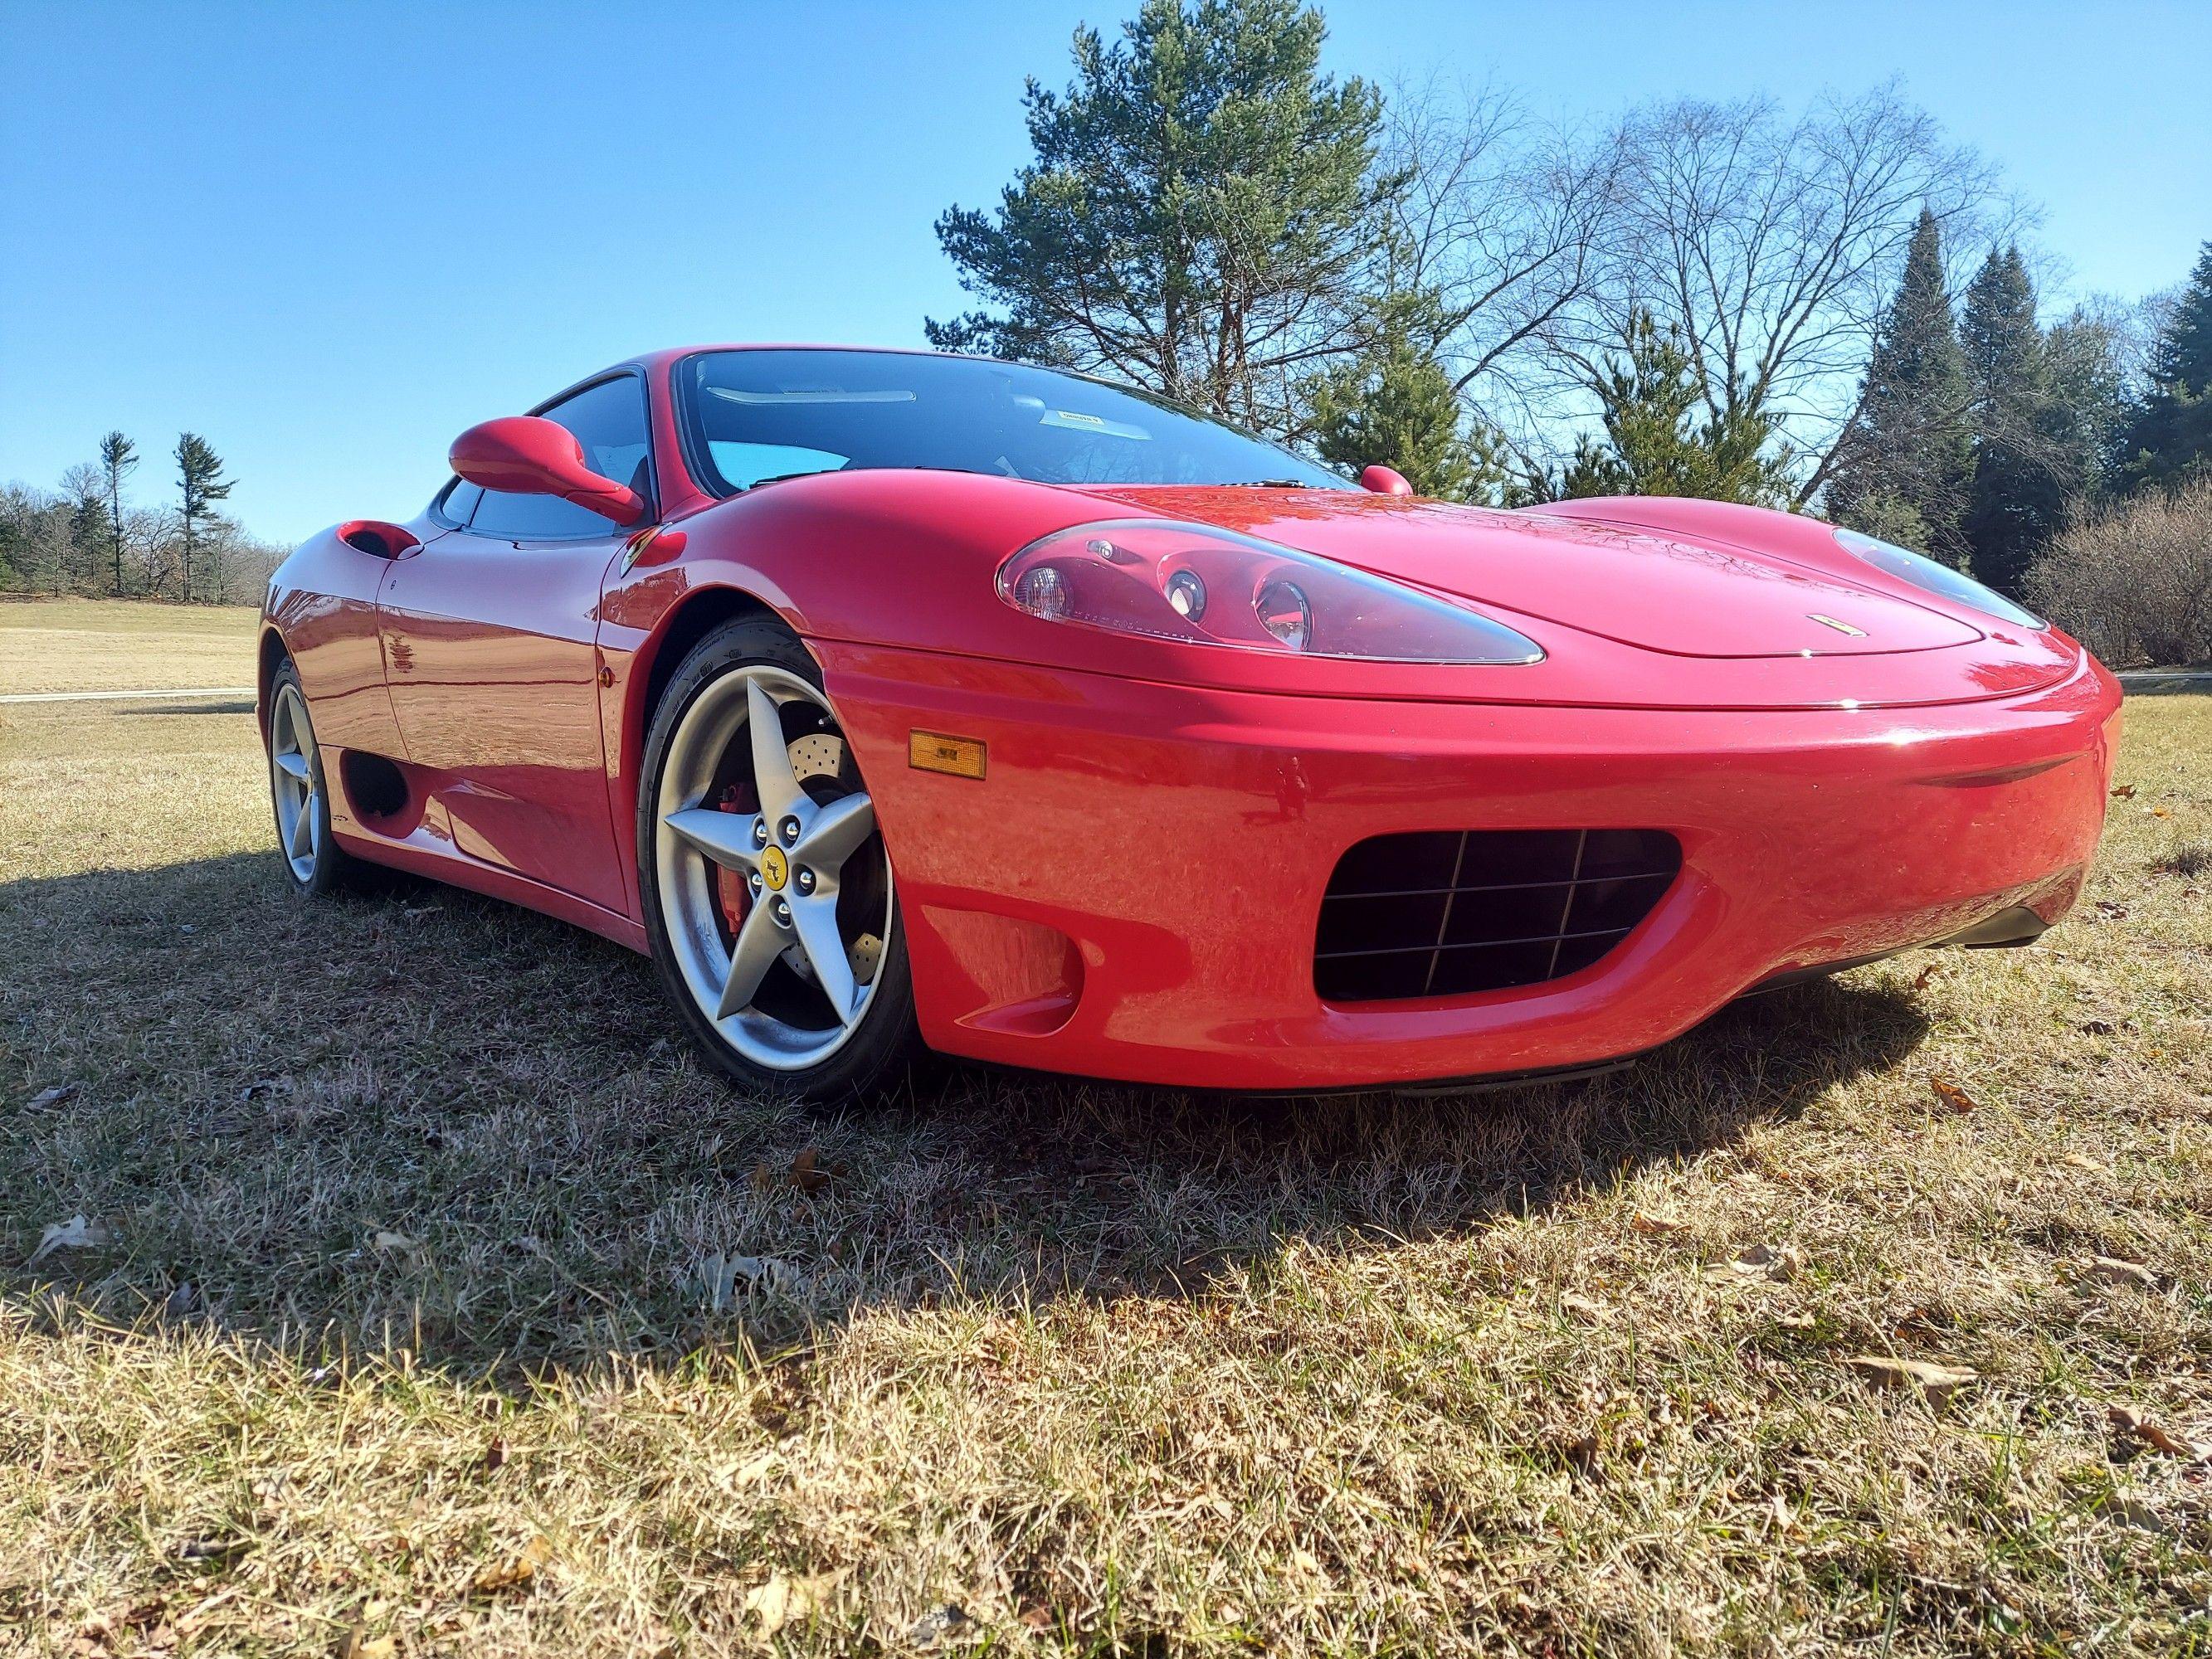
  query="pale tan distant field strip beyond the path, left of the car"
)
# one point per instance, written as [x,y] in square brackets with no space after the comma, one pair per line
[123,645]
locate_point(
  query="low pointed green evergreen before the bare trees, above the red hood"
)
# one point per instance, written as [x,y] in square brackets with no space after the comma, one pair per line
[1656,441]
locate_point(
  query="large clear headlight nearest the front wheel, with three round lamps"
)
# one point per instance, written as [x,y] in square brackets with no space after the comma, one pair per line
[1213,587]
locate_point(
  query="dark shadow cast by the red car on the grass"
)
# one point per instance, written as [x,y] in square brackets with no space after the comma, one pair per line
[435,1123]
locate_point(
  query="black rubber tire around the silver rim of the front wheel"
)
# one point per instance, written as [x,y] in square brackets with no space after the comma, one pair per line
[884,1041]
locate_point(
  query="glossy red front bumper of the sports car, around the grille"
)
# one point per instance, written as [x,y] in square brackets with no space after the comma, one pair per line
[1134,888]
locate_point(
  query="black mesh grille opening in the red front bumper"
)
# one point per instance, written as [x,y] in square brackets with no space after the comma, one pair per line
[1452,912]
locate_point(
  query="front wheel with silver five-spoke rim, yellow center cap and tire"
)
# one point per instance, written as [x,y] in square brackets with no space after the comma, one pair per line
[764,877]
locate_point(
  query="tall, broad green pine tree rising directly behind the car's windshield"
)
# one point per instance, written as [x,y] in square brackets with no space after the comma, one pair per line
[1204,213]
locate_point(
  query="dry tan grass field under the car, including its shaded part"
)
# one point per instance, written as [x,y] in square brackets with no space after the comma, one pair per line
[417,1304]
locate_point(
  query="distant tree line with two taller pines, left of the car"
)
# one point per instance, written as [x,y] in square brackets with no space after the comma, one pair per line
[90,539]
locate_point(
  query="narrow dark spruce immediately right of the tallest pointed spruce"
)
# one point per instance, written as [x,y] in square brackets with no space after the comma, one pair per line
[2018,497]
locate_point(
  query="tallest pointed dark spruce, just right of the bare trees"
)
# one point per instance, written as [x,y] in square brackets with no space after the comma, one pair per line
[1908,457]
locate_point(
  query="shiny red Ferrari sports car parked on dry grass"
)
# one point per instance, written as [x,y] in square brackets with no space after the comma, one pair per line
[893,700]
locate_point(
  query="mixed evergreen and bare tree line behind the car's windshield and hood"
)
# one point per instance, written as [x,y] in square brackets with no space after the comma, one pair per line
[1828,311]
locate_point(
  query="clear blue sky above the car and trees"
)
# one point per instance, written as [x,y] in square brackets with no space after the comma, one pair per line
[333,238]
